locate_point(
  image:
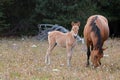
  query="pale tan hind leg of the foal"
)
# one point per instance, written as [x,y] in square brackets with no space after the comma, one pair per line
[49,50]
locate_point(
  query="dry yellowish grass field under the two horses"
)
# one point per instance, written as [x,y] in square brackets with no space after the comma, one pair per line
[23,59]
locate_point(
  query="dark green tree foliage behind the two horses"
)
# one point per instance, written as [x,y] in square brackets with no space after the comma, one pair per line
[21,17]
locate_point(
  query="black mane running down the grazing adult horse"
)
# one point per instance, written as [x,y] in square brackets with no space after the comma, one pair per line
[96,30]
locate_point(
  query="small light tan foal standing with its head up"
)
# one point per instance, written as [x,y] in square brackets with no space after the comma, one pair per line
[66,40]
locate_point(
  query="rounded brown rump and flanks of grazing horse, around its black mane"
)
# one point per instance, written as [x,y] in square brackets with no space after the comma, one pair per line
[101,22]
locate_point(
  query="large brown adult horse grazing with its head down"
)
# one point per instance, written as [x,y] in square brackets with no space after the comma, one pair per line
[96,31]
